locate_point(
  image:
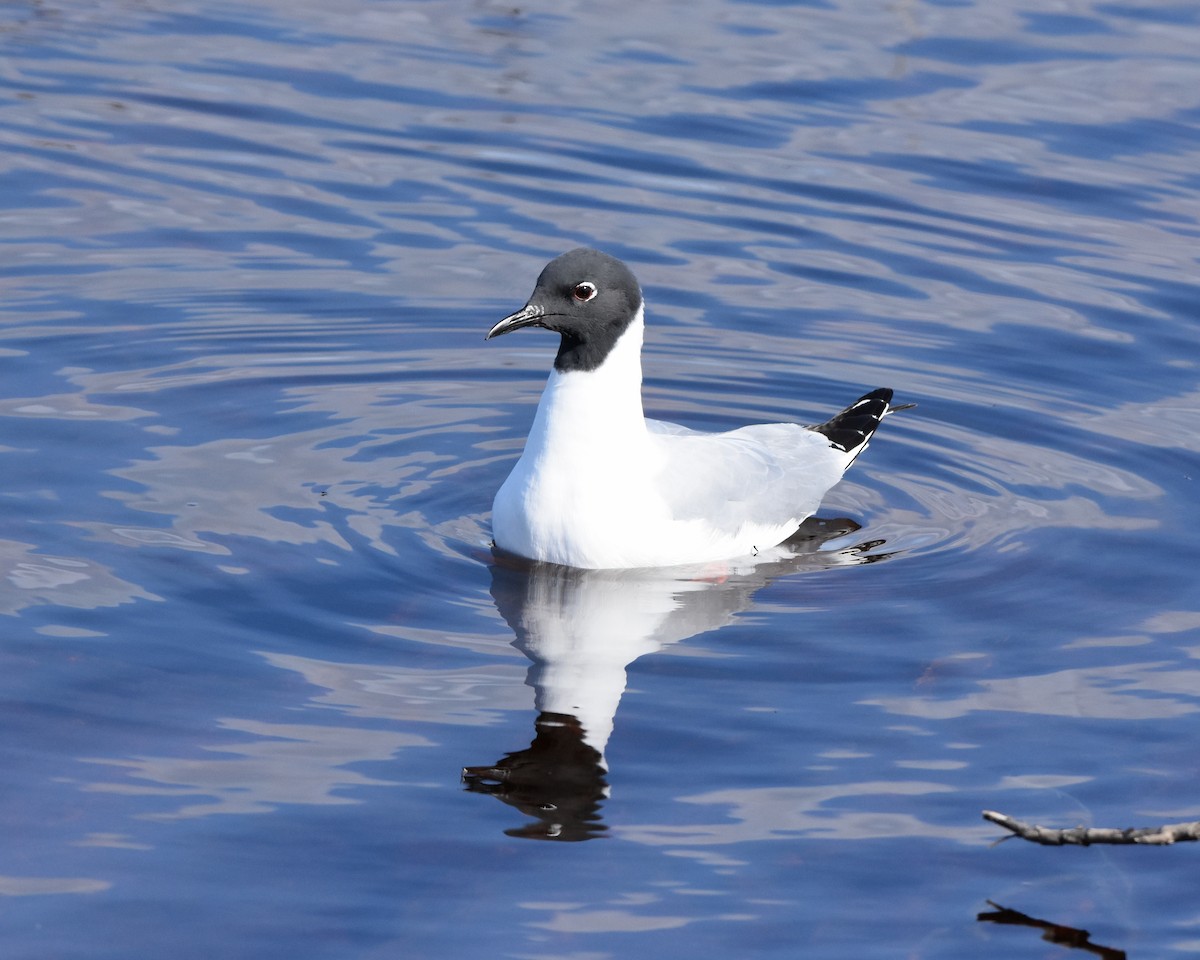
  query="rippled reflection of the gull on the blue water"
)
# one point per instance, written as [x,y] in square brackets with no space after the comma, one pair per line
[581,629]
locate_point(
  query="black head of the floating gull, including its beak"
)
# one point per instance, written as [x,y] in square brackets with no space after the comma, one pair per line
[589,298]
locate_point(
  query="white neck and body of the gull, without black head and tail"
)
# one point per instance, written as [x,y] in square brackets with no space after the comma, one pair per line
[599,487]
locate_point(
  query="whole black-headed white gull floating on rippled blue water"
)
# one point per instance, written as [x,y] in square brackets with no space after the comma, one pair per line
[601,487]
